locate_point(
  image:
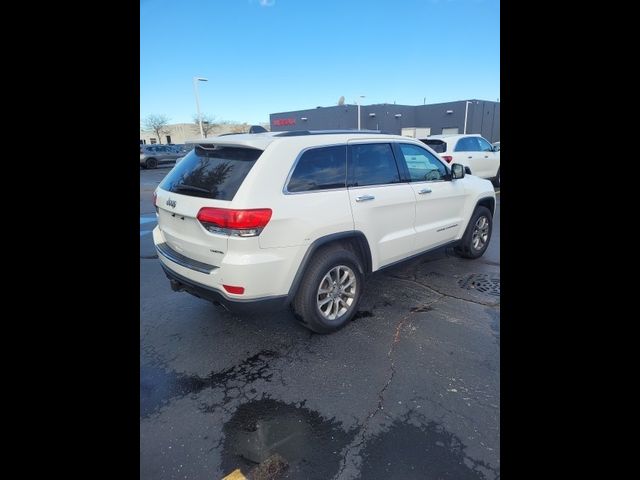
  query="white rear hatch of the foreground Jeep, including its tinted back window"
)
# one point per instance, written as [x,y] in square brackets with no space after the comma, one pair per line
[208,176]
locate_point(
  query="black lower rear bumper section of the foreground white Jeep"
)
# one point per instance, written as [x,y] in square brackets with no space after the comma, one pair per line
[267,304]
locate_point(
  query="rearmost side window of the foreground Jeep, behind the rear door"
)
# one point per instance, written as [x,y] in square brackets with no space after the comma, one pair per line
[320,169]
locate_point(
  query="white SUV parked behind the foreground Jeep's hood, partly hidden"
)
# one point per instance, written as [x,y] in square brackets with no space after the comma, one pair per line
[470,150]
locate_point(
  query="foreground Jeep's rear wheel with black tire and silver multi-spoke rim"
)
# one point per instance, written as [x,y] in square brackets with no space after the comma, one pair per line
[305,303]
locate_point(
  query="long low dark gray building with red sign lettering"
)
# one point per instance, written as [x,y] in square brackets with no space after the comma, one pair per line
[482,117]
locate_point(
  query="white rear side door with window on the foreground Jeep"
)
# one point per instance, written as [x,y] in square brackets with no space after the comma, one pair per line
[383,207]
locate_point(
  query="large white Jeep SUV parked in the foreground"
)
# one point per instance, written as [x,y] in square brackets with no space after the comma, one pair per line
[266,220]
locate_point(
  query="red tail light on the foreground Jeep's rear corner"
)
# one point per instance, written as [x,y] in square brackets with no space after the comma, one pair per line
[237,223]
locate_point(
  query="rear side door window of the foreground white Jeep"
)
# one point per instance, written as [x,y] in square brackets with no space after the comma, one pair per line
[373,164]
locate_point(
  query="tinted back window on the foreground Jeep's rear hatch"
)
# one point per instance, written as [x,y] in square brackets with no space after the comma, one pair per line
[210,171]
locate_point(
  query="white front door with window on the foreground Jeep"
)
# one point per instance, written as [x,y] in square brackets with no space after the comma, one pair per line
[439,200]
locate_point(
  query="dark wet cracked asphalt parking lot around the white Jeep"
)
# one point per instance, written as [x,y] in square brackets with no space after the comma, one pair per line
[410,389]
